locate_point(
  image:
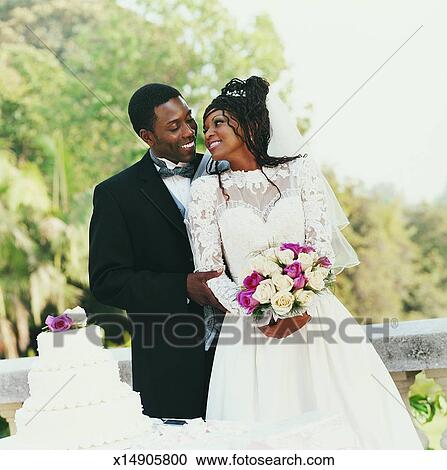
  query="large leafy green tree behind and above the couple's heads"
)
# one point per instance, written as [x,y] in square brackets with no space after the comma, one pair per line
[113,50]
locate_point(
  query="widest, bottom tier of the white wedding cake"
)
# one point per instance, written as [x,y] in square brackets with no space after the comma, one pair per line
[84,427]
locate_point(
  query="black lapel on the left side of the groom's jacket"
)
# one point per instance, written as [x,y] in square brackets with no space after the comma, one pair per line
[156,193]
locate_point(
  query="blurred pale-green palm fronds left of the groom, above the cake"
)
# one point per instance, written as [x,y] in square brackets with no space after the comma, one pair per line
[36,251]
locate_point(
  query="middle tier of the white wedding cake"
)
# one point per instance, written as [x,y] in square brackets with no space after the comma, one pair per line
[74,387]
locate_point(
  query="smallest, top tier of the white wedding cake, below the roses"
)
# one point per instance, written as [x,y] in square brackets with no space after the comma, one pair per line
[69,344]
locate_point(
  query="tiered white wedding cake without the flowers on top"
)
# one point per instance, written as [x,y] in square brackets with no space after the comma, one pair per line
[77,399]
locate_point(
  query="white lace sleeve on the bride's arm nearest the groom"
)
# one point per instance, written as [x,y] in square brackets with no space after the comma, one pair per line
[206,243]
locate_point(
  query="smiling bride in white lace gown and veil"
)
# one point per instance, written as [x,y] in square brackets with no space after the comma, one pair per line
[272,195]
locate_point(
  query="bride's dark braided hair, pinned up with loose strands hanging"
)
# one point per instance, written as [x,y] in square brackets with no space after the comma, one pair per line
[245,102]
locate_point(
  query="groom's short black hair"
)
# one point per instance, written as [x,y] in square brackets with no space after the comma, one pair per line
[143,102]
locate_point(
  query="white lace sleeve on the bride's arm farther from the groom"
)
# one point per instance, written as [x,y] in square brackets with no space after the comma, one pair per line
[318,231]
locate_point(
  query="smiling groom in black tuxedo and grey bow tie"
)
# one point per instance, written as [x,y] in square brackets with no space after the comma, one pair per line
[140,258]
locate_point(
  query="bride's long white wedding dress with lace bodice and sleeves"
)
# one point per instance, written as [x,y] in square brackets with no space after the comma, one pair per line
[255,378]
